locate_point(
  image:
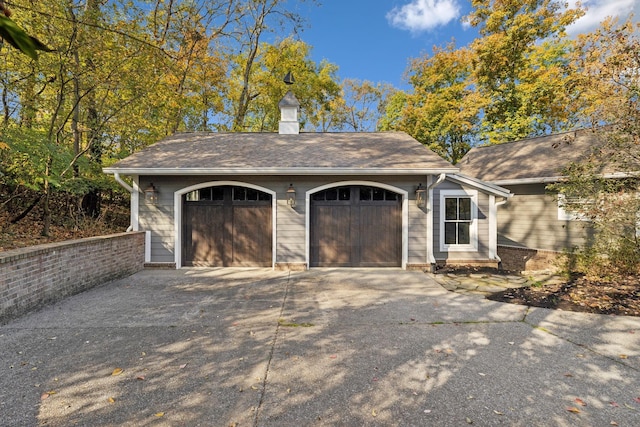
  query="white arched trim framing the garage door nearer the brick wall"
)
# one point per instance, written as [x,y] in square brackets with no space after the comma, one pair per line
[177,215]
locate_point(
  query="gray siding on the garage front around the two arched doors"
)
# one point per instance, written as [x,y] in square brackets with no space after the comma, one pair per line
[290,223]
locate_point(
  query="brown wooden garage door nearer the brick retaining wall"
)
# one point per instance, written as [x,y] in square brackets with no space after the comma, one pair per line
[227,226]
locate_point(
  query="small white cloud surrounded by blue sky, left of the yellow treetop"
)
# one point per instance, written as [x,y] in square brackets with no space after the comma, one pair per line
[424,15]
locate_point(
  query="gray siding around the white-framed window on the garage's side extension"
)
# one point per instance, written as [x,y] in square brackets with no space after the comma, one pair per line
[483,226]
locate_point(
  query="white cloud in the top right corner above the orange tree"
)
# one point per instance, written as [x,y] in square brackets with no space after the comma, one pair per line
[598,10]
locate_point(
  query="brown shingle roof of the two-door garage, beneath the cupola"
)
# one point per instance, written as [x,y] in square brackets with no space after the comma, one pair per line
[272,153]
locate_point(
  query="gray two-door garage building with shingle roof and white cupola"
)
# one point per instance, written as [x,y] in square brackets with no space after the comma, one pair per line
[292,200]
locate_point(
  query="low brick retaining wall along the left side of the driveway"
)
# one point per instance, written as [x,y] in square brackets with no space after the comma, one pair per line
[38,275]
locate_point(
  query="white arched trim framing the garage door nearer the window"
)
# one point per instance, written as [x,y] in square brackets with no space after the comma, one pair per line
[405,214]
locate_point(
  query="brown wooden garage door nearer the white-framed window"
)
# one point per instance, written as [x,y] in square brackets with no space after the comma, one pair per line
[356,226]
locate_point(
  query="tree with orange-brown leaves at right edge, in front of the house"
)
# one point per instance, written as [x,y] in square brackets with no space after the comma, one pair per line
[605,187]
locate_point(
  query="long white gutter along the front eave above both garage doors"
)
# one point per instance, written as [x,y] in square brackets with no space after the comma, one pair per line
[277,171]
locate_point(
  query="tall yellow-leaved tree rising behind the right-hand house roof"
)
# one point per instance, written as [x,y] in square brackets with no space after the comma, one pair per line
[519,66]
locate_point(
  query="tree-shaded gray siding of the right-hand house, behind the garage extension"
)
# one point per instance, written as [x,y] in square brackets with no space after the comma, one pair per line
[530,219]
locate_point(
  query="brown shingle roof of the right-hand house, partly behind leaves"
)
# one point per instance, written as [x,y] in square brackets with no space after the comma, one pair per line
[537,159]
